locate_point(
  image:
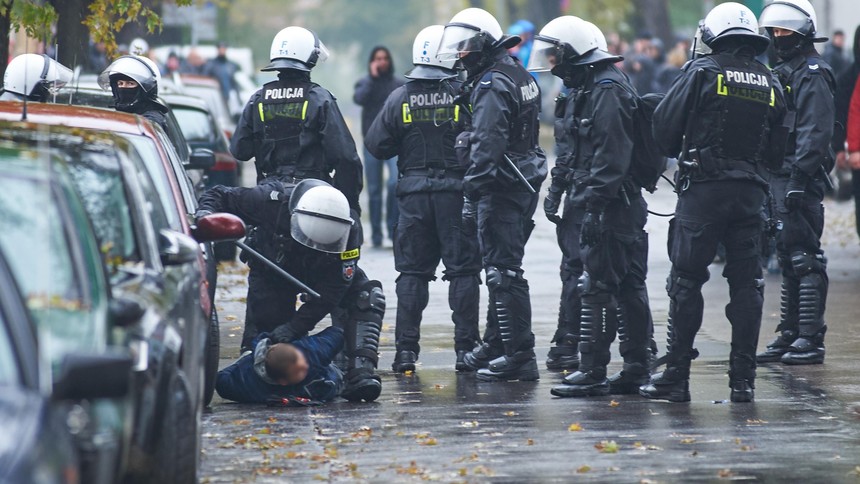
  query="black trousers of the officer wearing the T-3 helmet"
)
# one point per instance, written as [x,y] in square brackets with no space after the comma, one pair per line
[429,228]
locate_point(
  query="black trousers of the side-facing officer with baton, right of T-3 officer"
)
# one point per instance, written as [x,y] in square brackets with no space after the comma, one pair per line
[504,225]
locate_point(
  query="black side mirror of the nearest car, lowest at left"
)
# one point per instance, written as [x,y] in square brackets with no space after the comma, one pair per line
[88,376]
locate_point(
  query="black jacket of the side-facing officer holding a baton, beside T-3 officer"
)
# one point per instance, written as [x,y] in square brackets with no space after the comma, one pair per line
[504,122]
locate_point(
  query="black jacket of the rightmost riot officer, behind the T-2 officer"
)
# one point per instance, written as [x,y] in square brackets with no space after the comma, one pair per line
[810,87]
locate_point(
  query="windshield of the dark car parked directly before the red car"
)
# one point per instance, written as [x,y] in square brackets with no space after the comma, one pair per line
[97,177]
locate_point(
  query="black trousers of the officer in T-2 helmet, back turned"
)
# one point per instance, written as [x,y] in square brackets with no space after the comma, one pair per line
[709,213]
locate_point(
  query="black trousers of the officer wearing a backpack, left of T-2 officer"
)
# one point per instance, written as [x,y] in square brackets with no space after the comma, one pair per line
[613,292]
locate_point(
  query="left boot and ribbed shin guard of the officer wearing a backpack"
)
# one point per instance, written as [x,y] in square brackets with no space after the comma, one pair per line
[590,379]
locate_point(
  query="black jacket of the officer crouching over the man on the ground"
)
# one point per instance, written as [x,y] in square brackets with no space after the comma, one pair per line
[266,206]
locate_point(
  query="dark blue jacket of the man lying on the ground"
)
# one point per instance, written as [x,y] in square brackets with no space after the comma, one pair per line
[245,381]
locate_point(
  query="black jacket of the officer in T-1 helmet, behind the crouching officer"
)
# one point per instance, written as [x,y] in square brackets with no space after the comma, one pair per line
[323,144]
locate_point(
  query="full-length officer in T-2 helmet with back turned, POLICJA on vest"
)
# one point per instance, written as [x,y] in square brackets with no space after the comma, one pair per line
[723,115]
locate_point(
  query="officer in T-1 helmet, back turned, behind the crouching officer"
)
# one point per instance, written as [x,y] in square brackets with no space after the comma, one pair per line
[292,127]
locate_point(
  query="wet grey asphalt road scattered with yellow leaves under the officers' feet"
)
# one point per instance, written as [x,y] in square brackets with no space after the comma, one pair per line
[804,425]
